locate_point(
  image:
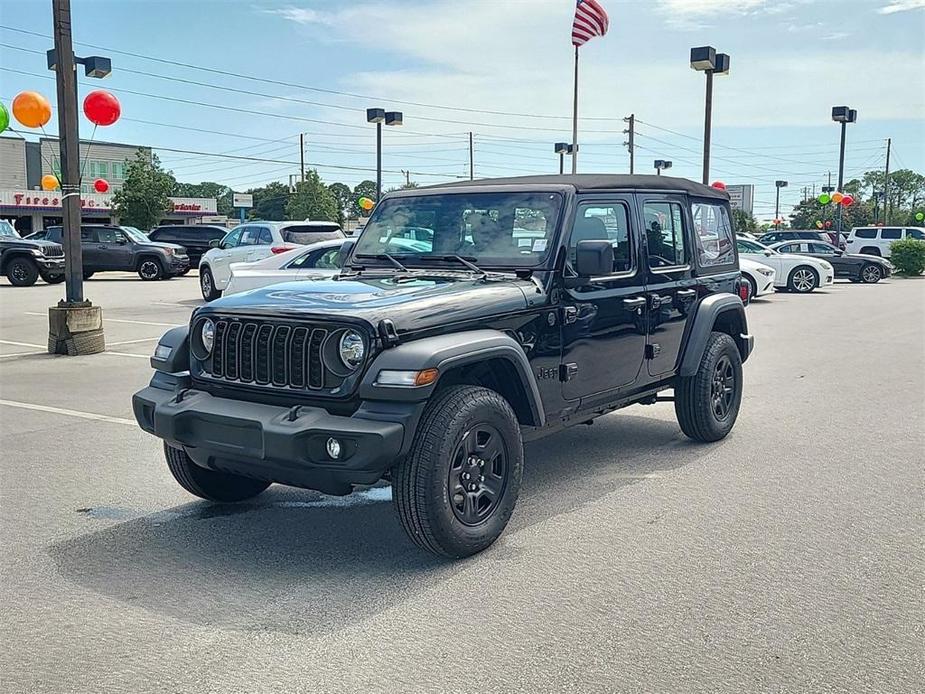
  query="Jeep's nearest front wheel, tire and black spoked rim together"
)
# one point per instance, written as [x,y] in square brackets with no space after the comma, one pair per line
[456,489]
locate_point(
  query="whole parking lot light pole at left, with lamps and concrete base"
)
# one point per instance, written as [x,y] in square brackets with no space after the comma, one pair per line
[75,326]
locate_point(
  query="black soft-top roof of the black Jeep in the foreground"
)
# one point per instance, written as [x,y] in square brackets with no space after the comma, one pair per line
[595,182]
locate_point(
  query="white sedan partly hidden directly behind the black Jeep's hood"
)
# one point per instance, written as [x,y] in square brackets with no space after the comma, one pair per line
[314,261]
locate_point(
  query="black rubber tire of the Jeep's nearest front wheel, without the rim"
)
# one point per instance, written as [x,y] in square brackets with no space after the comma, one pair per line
[420,480]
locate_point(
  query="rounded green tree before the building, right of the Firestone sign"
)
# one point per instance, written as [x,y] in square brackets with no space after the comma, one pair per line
[144,198]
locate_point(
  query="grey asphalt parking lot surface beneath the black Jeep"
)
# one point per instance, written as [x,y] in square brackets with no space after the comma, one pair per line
[788,557]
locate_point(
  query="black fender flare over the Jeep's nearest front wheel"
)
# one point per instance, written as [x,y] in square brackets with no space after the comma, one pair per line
[446,352]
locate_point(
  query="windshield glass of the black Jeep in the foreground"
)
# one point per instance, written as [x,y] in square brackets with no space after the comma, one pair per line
[493,229]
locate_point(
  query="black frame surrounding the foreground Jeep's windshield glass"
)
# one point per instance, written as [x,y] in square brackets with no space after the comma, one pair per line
[431,260]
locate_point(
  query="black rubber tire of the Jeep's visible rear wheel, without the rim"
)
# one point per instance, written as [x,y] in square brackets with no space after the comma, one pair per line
[694,395]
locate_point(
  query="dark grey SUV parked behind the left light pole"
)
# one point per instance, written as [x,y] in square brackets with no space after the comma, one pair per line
[106,247]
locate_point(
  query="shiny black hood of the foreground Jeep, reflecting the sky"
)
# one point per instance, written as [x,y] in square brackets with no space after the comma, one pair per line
[411,302]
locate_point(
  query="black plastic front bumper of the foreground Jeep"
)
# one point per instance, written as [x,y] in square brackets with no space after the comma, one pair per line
[278,444]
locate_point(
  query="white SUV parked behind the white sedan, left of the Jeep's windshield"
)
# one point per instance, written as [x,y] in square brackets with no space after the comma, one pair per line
[255,241]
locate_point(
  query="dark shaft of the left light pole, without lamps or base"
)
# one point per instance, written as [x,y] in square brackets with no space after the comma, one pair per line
[69,139]
